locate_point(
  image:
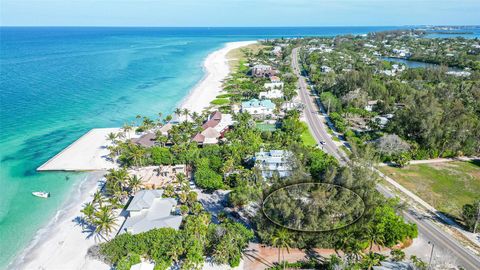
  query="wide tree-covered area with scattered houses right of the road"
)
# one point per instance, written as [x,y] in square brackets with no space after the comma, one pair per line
[436,114]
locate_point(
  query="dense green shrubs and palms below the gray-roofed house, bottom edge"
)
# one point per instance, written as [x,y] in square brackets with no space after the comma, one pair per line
[187,246]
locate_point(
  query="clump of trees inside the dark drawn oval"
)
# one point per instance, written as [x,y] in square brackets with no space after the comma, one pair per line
[313,207]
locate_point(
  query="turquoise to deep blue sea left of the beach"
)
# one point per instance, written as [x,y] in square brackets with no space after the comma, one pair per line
[57,83]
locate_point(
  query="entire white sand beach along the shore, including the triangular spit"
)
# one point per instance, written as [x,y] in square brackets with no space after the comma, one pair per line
[62,244]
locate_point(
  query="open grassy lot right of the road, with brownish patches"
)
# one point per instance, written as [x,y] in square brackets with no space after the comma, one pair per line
[447,186]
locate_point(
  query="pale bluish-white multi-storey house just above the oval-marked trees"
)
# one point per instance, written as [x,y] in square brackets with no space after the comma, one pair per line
[273,162]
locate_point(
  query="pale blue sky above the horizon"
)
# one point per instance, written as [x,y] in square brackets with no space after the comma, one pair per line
[238,12]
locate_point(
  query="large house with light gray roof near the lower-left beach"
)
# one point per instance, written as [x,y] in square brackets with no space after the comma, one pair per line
[148,210]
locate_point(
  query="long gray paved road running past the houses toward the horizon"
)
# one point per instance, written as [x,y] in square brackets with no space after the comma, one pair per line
[426,227]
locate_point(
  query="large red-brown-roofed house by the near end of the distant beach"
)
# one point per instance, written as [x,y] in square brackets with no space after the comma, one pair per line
[214,128]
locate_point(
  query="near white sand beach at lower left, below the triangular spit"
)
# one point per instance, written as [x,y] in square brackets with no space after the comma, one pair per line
[46,250]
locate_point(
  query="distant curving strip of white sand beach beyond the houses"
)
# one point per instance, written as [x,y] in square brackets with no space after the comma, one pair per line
[217,69]
